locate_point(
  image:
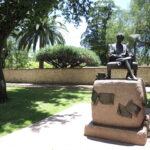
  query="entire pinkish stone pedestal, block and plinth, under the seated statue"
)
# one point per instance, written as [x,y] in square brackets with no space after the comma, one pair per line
[118,111]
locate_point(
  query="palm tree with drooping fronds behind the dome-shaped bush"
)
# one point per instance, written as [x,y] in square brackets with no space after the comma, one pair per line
[45,32]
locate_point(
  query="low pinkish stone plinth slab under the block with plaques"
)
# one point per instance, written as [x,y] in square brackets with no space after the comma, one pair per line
[128,135]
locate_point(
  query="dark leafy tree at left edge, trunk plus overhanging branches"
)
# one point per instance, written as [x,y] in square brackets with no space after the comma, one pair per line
[14,12]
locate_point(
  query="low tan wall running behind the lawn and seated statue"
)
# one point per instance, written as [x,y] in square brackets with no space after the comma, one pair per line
[67,76]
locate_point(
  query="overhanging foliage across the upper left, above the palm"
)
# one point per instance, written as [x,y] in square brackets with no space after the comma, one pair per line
[14,13]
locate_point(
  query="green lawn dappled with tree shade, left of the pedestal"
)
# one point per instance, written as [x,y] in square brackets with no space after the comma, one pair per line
[29,105]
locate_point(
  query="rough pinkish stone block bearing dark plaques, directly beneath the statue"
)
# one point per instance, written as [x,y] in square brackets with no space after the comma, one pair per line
[119,102]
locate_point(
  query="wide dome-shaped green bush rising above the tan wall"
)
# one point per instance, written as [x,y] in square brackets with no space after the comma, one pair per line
[68,57]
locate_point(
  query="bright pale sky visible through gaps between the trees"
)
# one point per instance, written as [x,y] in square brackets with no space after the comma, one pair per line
[72,37]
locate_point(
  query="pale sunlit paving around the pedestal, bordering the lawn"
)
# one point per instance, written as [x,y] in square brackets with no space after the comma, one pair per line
[63,131]
